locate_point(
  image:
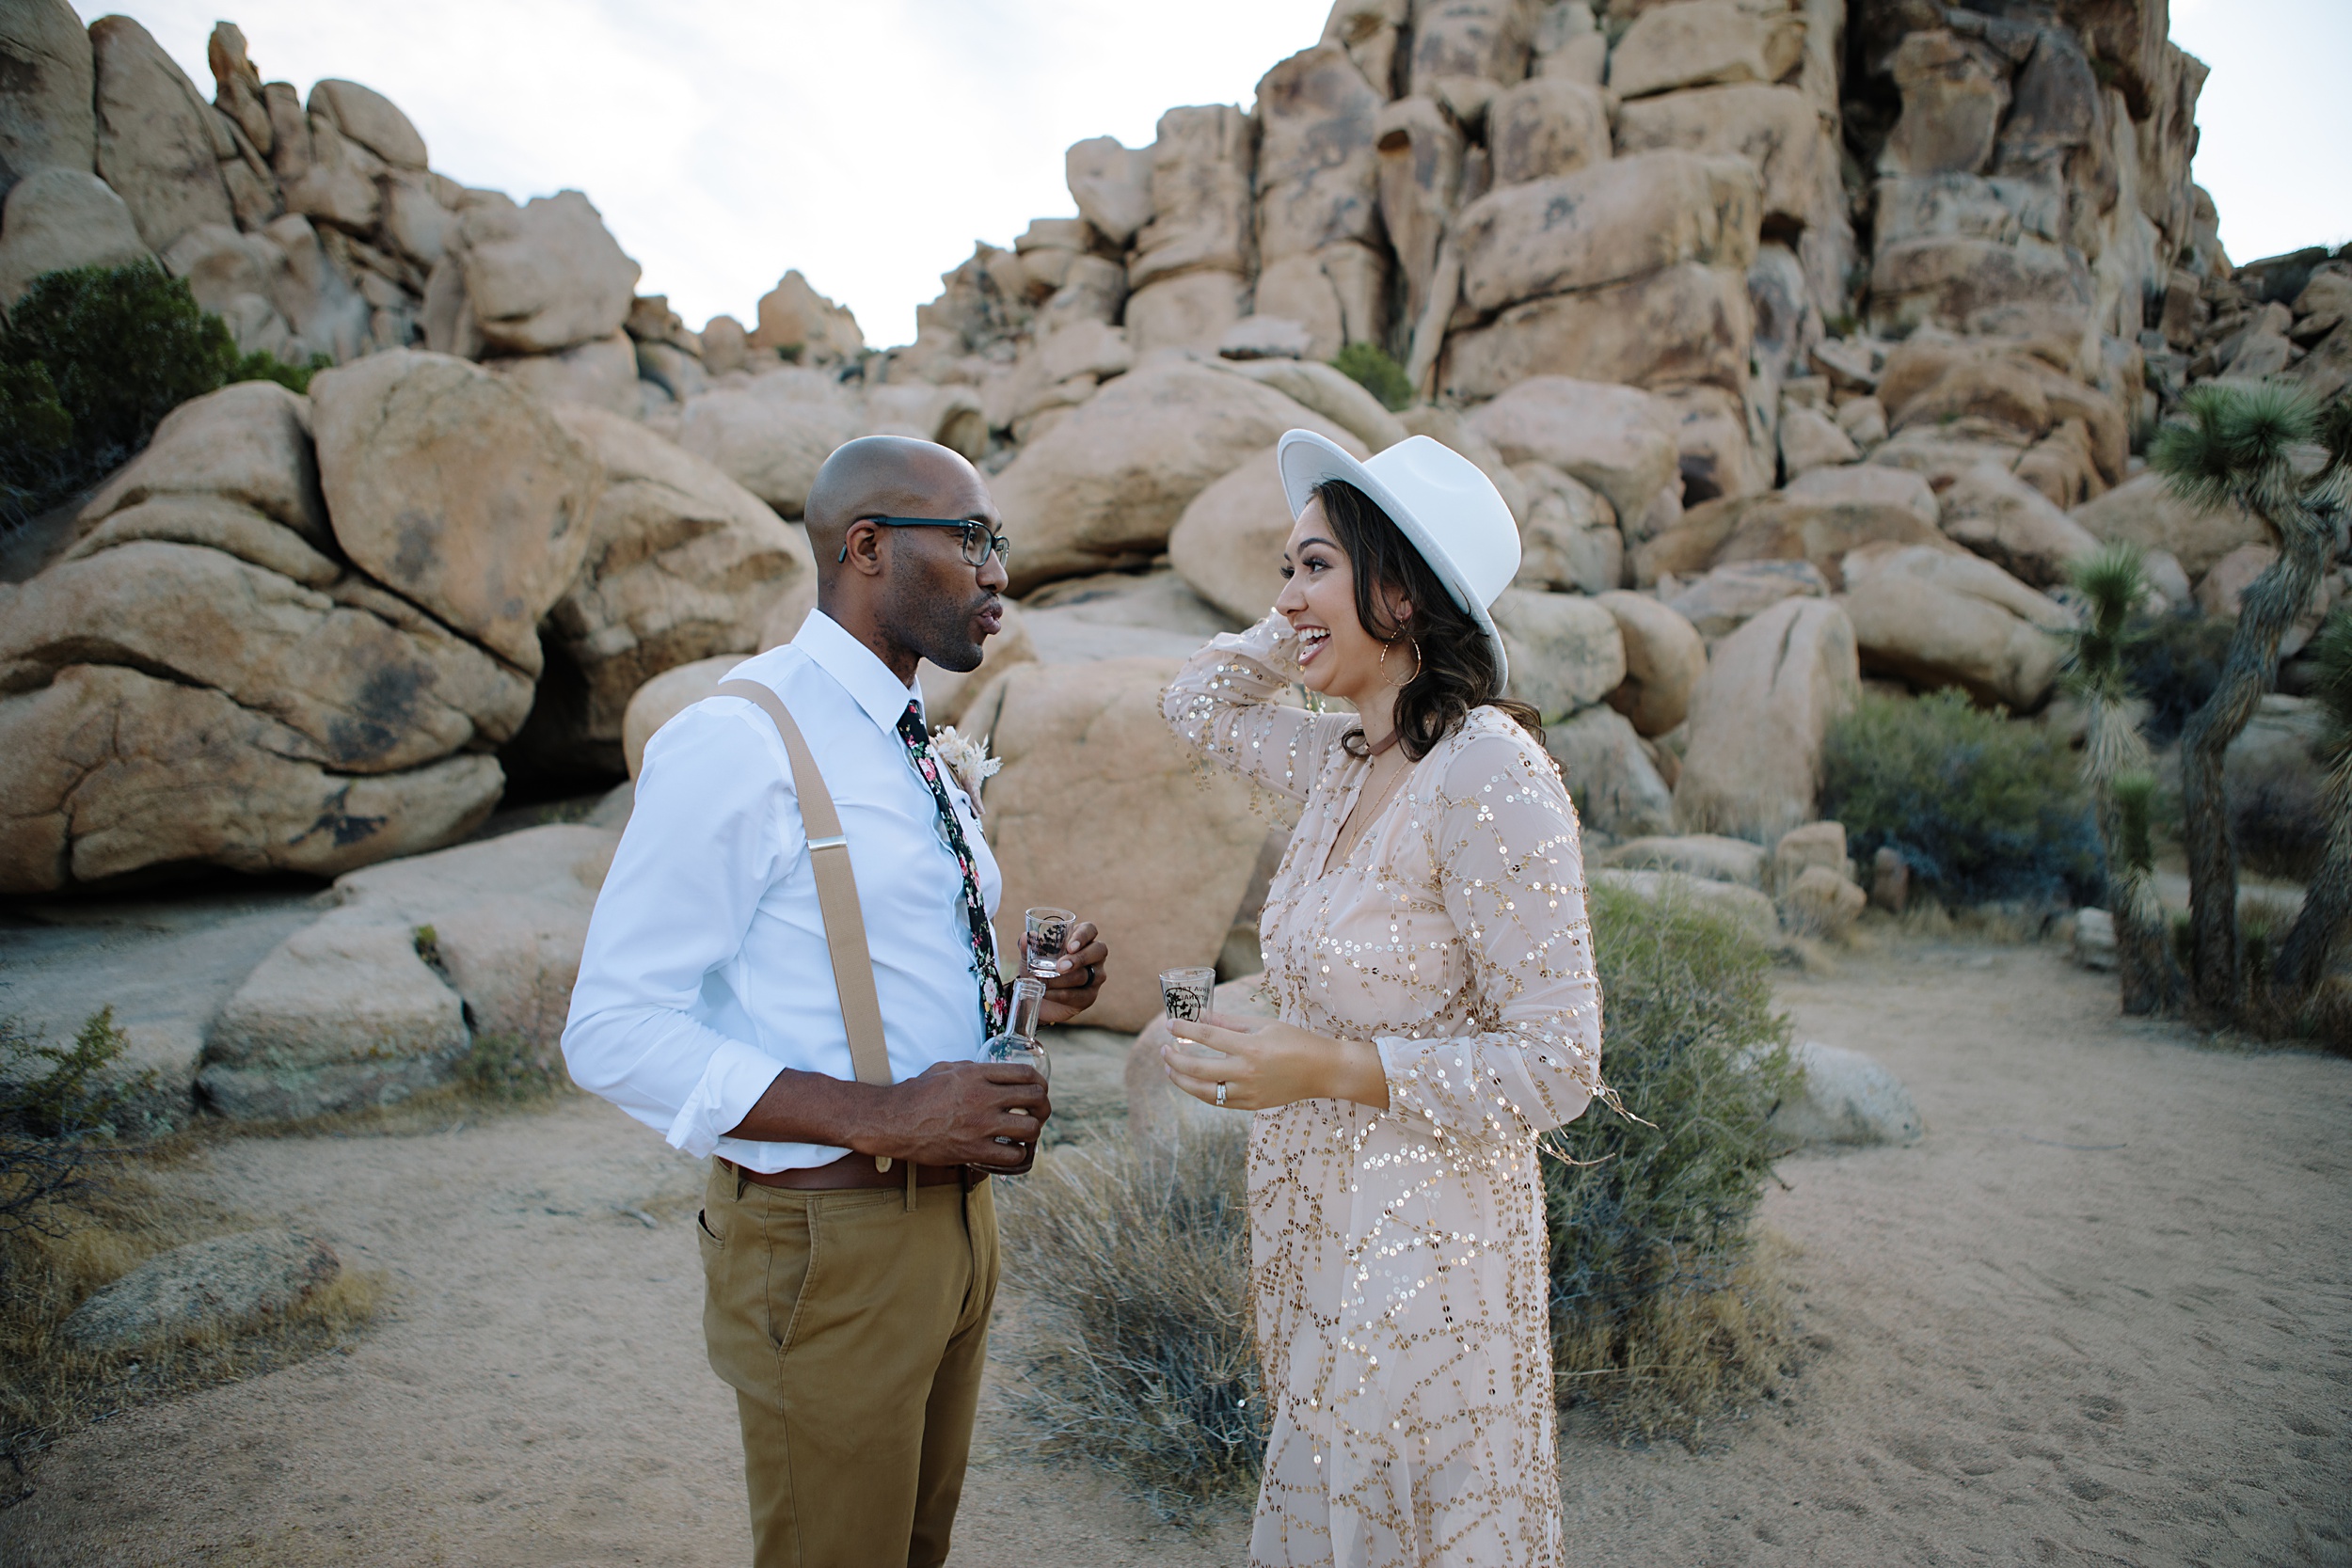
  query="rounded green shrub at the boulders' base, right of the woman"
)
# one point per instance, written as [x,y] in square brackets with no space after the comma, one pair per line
[1977,808]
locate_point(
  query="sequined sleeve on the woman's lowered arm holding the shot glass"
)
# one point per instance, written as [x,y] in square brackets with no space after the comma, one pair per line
[1511,871]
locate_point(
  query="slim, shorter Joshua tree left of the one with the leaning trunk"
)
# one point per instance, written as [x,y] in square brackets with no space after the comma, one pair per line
[2118,770]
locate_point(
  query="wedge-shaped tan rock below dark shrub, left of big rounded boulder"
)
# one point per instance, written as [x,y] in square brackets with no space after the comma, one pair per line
[248,443]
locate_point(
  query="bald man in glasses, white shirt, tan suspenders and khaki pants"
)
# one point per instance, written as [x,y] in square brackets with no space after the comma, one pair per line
[850,1325]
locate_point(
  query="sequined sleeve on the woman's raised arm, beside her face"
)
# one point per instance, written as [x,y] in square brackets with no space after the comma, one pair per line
[1224,704]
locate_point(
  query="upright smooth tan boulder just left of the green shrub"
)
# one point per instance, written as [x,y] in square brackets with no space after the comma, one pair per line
[1760,716]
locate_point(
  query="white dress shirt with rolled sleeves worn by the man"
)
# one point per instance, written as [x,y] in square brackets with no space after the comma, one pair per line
[707,967]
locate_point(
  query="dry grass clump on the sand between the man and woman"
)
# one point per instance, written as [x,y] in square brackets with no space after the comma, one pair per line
[1135,1334]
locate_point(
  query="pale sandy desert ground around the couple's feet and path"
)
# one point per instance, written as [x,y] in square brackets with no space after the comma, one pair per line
[2099,1315]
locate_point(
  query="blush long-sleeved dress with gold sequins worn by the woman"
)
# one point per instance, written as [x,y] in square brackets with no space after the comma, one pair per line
[1398,1259]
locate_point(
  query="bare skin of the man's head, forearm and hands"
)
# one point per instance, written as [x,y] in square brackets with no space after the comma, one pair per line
[911,596]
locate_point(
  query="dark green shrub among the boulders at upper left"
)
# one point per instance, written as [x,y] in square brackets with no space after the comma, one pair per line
[91,361]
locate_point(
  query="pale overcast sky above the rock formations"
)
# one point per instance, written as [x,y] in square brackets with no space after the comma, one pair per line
[871,142]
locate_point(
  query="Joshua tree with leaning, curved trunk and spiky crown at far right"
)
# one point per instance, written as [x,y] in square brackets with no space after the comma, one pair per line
[2271,453]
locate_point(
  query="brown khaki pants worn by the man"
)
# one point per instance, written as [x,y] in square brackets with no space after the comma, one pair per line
[853,1334]
